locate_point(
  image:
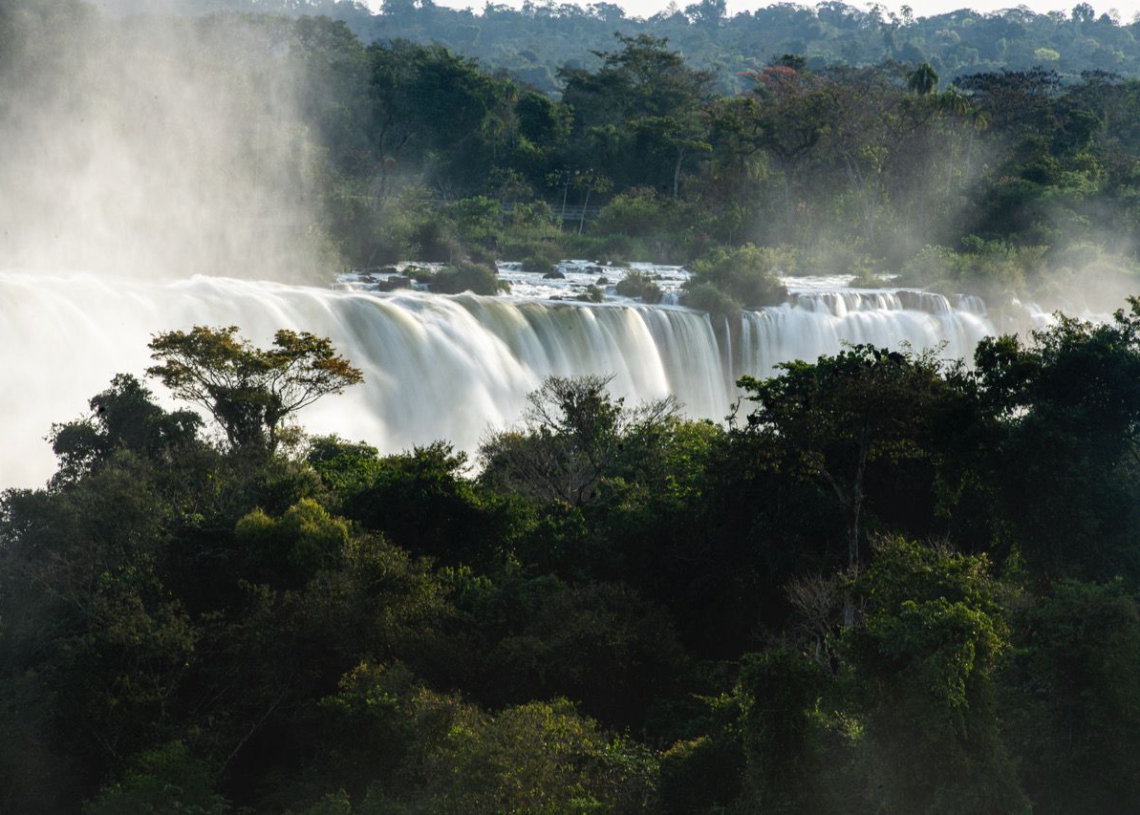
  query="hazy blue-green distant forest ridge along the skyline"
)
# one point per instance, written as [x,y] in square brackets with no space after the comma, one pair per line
[535,42]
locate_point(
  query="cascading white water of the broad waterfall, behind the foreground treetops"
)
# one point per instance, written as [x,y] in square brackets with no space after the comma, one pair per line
[435,368]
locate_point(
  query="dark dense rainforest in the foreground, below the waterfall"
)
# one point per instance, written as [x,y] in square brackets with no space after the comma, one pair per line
[889,584]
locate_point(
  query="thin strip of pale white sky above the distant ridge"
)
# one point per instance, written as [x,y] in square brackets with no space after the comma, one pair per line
[1125,10]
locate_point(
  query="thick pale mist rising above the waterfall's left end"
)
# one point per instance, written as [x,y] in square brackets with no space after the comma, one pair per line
[156,146]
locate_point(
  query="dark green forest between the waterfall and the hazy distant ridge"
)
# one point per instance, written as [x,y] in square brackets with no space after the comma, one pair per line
[818,156]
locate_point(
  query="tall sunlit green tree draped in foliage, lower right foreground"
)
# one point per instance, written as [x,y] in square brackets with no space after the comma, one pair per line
[932,642]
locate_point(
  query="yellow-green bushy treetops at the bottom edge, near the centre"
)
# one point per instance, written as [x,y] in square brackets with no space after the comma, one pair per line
[540,757]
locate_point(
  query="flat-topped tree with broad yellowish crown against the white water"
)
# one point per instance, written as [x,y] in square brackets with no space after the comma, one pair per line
[249,392]
